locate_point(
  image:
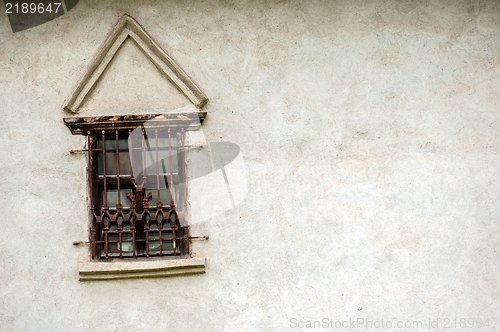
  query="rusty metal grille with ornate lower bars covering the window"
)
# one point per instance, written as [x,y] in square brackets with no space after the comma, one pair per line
[137,193]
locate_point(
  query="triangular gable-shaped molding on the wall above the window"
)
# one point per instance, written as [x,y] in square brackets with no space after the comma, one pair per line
[127,27]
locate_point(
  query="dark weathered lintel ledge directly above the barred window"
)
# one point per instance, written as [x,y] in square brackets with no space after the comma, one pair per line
[95,124]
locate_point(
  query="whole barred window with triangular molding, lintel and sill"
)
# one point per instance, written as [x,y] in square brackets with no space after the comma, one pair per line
[137,168]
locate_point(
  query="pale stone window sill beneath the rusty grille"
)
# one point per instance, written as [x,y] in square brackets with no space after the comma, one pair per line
[140,269]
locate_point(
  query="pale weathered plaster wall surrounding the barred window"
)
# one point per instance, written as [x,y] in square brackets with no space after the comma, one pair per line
[371,144]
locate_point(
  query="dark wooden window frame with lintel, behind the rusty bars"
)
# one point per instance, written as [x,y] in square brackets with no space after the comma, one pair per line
[93,128]
